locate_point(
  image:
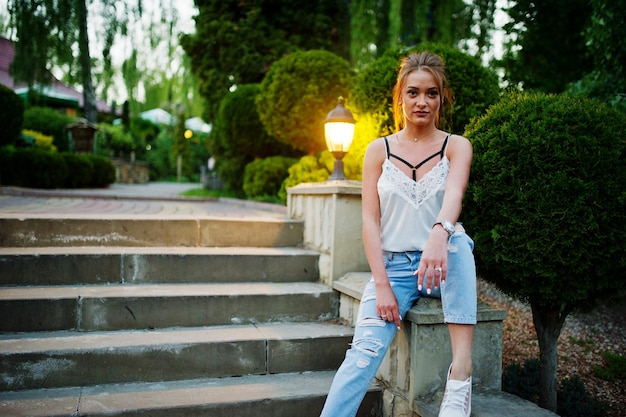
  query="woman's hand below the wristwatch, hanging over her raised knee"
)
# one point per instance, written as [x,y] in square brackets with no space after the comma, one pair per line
[433,267]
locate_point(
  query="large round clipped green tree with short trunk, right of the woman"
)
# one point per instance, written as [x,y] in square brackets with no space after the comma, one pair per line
[545,201]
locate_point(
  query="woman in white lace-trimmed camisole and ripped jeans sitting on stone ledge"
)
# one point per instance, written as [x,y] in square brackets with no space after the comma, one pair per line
[413,186]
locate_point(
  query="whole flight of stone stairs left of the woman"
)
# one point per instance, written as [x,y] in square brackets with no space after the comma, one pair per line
[127,315]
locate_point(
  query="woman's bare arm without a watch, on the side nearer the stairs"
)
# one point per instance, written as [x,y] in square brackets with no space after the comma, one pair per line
[386,303]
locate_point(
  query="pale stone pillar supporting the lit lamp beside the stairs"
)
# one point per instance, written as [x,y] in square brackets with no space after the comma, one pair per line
[331,212]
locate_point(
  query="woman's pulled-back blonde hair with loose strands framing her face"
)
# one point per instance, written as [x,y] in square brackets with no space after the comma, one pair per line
[426,61]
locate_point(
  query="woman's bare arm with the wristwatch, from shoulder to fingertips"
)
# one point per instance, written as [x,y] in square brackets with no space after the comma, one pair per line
[435,254]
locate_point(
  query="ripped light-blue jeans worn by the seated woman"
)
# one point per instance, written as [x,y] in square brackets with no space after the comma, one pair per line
[373,336]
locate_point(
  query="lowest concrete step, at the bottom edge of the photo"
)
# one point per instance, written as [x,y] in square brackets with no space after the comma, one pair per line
[283,395]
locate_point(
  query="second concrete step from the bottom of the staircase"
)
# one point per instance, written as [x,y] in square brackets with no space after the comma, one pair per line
[61,359]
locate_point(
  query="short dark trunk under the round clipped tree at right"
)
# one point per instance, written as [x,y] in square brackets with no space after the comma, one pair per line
[548,325]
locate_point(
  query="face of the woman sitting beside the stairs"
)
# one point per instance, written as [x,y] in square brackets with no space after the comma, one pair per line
[421,99]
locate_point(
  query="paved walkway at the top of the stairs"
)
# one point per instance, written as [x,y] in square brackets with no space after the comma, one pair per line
[161,199]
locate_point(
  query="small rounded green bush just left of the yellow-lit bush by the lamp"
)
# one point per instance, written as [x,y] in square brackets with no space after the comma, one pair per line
[264,177]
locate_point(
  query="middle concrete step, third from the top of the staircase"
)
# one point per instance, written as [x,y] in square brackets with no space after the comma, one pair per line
[130,306]
